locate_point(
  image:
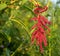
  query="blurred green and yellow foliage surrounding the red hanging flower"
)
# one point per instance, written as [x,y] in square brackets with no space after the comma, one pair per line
[15,28]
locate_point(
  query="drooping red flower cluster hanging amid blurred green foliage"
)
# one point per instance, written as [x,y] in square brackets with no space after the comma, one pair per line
[40,34]
